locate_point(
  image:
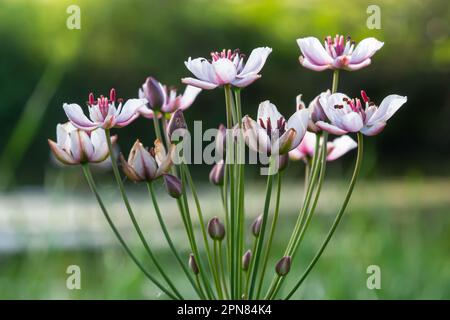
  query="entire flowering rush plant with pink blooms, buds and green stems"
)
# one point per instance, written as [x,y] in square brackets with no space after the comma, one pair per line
[221,263]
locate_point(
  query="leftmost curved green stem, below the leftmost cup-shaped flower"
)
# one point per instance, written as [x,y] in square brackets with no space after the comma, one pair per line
[93,187]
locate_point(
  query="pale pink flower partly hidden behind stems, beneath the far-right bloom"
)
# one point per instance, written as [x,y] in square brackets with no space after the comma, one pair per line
[335,149]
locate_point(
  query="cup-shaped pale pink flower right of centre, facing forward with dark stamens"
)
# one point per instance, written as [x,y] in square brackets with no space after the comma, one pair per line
[271,134]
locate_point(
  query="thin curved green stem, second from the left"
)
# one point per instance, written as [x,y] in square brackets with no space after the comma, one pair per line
[133,218]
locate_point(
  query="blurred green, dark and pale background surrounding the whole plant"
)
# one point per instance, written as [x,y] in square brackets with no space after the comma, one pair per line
[398,218]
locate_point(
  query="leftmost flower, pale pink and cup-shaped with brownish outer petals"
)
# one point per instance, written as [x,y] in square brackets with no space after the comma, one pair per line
[75,146]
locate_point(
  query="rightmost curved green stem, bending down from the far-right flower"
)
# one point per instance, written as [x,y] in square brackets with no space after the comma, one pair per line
[338,217]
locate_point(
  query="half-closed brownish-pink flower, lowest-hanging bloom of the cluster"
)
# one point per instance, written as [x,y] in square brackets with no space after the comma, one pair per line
[147,165]
